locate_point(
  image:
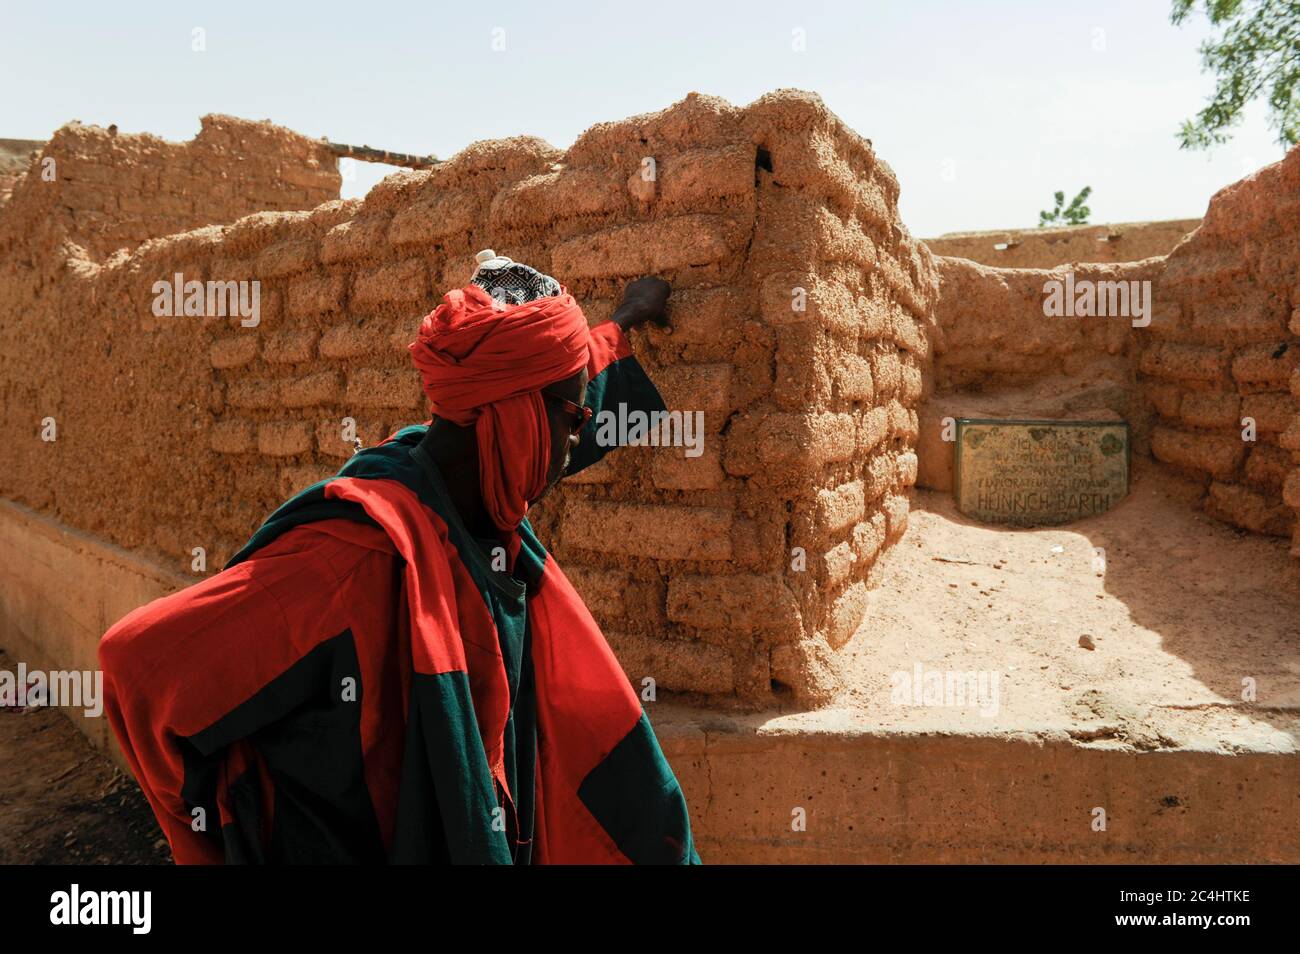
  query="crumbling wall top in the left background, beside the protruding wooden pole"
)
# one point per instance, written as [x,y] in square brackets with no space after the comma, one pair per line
[105,190]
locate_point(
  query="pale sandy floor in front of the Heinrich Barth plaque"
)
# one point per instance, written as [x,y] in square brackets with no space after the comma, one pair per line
[1184,612]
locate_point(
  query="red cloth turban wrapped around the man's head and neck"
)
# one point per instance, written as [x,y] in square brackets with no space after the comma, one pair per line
[486,365]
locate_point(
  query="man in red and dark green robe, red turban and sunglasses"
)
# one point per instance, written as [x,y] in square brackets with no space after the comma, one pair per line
[393,669]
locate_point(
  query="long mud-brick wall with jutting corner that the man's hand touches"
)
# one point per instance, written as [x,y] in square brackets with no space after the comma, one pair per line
[800,309]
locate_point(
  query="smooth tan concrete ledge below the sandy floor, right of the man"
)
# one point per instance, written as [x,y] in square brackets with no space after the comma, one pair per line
[878,796]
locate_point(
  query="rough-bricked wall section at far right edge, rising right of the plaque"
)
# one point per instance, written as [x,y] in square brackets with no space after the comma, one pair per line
[1225,345]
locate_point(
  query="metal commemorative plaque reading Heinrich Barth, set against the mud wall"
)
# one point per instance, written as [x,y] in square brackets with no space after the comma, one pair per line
[1041,474]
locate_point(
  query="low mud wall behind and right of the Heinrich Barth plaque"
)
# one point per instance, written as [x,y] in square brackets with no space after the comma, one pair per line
[1223,345]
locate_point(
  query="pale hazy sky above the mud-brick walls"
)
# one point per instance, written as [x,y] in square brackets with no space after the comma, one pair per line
[983,110]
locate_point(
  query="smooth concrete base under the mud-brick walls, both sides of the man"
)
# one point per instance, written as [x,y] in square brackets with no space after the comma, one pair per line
[869,793]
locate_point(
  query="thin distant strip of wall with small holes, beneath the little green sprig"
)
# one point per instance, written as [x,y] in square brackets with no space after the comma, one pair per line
[1064,246]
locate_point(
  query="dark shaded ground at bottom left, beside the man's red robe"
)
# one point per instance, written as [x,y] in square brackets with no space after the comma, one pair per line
[63,803]
